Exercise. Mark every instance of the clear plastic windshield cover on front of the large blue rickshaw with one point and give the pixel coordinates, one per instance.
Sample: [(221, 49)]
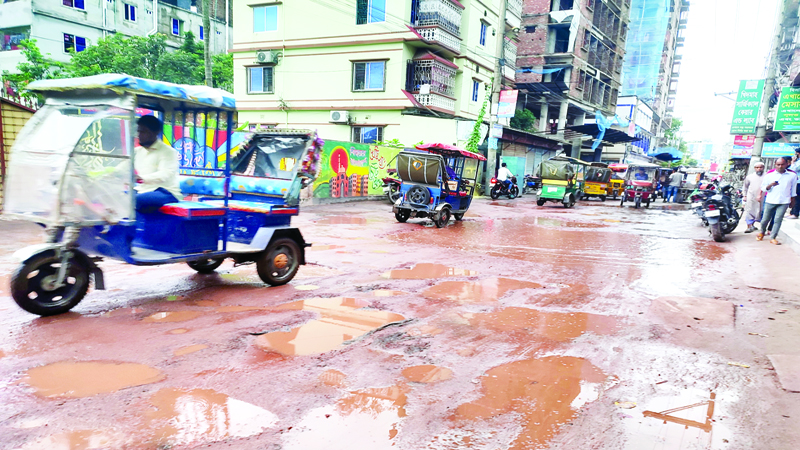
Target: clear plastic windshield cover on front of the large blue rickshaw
[(72, 165)]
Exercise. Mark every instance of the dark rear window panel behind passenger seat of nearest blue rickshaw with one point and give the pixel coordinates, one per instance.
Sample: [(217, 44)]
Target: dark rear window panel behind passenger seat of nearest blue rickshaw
[(271, 156)]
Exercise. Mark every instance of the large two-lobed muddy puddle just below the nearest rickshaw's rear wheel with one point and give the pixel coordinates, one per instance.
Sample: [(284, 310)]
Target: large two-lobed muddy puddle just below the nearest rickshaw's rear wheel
[(340, 320)]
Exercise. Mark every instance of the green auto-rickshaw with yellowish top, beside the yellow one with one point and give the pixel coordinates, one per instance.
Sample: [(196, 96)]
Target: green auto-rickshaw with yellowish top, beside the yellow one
[(562, 180)]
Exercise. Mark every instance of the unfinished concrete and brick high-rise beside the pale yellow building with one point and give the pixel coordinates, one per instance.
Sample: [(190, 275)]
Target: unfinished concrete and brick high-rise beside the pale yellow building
[(570, 61)]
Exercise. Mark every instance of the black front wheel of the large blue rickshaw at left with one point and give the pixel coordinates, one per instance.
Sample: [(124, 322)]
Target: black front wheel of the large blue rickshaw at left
[(32, 290)]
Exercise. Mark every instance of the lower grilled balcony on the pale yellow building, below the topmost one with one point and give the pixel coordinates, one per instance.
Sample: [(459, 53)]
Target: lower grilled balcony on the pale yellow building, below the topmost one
[(431, 80)]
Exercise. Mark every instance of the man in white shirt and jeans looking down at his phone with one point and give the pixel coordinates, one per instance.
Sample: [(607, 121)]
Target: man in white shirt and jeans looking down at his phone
[(781, 187)]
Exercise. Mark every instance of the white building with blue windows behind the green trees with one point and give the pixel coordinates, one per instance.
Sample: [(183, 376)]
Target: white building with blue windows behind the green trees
[(61, 26)]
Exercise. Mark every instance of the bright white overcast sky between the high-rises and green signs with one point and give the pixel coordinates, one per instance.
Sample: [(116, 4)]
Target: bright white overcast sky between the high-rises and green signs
[(726, 41)]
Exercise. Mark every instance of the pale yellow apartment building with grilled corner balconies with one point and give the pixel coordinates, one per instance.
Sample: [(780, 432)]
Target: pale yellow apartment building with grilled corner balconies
[(370, 70)]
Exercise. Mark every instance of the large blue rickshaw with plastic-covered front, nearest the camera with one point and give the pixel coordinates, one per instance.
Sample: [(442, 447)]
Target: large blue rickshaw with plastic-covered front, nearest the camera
[(71, 170)]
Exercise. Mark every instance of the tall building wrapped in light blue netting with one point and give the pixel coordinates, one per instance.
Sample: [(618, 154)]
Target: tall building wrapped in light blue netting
[(653, 59)]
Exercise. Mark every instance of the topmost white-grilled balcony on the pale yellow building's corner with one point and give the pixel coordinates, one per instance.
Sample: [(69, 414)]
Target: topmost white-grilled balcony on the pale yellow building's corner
[(438, 22)]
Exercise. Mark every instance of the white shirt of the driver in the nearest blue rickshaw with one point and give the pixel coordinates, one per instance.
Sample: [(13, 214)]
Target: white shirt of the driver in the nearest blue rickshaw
[(157, 166)]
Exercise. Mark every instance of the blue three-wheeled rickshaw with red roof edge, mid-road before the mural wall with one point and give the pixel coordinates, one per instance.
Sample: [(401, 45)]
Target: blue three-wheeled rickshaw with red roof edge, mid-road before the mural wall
[(438, 181)]
